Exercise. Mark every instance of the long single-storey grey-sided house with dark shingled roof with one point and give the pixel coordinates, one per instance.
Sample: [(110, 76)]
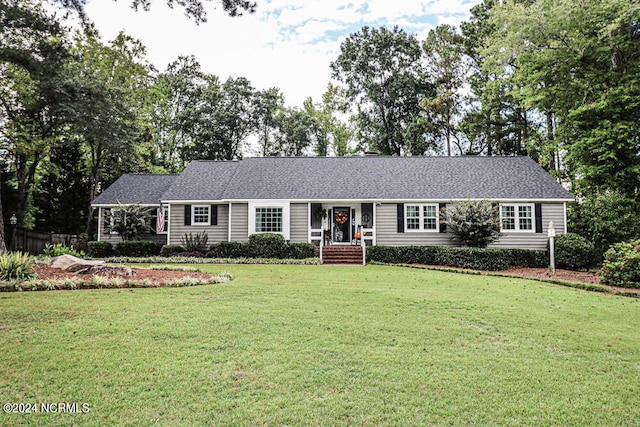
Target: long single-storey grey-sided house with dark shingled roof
[(391, 201)]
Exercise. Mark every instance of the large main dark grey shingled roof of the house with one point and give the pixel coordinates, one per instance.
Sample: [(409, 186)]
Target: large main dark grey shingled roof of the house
[(368, 177)]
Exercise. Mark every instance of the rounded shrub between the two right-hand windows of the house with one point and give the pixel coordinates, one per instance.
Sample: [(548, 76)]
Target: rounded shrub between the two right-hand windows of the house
[(475, 223)]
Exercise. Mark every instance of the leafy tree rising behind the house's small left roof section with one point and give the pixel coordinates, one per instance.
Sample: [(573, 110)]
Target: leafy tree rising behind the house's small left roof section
[(110, 83)]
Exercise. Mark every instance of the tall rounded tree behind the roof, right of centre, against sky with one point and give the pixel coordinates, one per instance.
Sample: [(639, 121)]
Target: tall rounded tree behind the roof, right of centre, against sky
[(384, 76)]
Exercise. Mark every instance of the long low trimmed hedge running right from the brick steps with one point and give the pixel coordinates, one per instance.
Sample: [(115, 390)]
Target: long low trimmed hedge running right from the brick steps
[(472, 258)]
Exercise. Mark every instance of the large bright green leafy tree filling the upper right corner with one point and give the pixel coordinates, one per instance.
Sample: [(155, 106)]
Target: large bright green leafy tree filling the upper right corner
[(578, 65)]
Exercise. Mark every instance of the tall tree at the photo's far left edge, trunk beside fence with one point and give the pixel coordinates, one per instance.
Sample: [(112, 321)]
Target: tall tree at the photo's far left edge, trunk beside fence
[(33, 51)]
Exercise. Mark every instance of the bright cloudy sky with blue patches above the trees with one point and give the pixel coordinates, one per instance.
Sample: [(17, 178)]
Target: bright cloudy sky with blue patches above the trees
[(286, 43)]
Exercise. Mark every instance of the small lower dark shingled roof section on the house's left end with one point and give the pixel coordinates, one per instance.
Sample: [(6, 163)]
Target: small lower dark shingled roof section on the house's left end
[(137, 189)]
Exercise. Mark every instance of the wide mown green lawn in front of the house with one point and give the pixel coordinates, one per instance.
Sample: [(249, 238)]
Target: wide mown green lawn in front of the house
[(321, 345)]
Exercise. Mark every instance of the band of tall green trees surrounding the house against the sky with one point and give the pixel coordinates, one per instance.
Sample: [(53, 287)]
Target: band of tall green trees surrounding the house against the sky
[(557, 80)]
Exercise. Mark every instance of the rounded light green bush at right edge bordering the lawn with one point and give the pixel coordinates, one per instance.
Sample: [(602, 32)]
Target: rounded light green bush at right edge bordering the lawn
[(621, 265)]
